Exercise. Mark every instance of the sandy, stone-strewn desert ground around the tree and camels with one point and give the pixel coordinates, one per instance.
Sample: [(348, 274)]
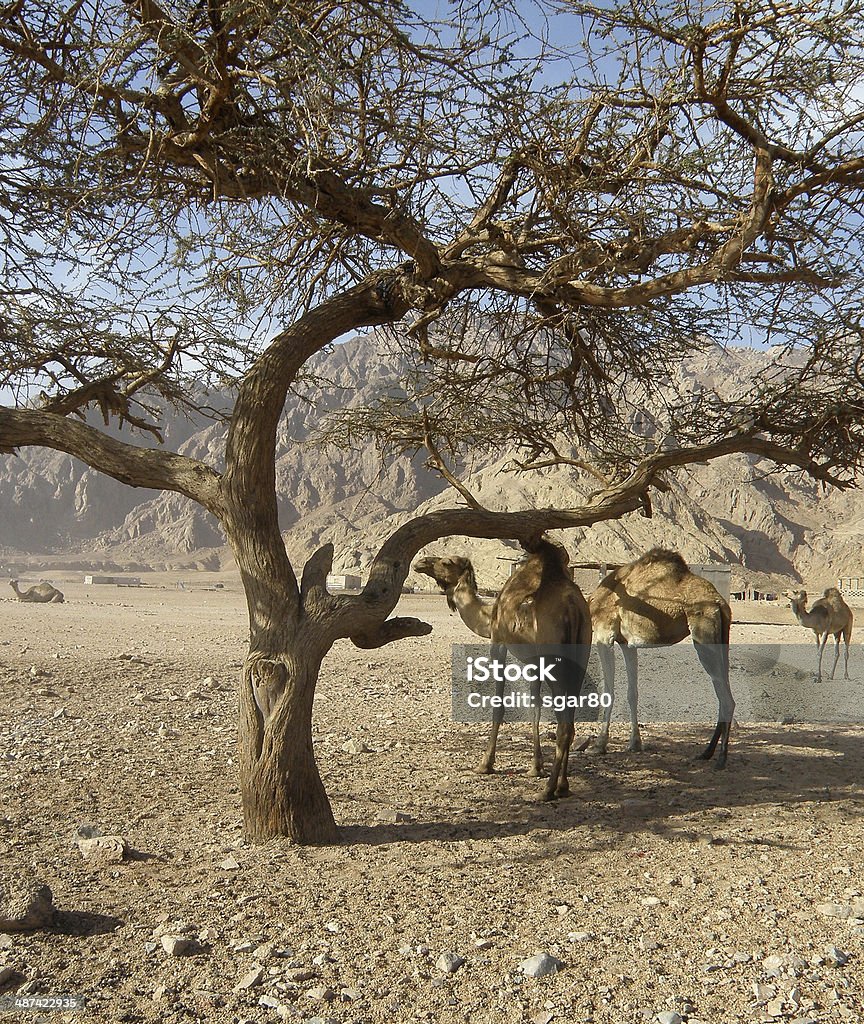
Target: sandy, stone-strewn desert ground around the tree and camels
[(666, 889)]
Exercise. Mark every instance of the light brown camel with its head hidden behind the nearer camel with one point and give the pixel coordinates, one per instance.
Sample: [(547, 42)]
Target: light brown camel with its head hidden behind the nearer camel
[(658, 602)]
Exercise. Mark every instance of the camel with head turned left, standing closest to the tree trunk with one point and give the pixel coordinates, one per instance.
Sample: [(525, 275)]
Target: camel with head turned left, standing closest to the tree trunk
[(540, 605)]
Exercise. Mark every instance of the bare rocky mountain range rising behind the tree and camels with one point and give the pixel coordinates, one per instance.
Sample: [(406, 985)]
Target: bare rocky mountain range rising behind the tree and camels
[(763, 522)]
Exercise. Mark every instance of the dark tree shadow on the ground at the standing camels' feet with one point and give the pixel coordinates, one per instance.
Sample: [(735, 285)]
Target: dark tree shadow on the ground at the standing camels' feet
[(663, 792)]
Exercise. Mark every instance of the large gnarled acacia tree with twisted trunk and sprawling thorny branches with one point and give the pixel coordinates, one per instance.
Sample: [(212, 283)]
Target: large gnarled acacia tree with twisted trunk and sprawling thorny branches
[(553, 203)]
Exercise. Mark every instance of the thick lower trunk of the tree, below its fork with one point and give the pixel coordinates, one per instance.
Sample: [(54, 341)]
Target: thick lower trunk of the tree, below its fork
[(283, 793)]
